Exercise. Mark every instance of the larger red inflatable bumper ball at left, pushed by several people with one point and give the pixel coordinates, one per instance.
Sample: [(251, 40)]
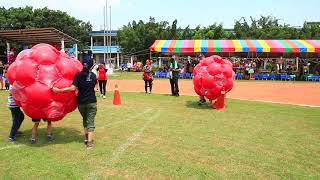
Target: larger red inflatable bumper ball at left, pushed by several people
[(32, 76)]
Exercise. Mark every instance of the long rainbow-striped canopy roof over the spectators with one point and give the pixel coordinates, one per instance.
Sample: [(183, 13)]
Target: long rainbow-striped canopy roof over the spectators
[(223, 46)]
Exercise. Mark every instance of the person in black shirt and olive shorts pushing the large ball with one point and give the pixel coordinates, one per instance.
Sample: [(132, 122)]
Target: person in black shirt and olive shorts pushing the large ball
[(85, 81)]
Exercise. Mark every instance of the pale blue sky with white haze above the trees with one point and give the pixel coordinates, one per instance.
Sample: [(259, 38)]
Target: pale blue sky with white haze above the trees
[(187, 12)]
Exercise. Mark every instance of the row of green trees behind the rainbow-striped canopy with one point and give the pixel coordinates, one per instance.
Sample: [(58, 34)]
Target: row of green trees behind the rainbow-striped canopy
[(139, 36)]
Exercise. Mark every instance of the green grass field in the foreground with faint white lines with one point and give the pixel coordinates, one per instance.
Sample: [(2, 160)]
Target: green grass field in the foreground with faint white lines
[(164, 137)]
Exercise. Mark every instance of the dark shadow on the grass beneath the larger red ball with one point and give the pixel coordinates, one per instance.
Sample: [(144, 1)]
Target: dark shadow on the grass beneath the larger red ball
[(62, 135)]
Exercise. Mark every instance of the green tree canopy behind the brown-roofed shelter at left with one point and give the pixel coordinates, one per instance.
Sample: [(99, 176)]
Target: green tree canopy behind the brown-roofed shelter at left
[(27, 17)]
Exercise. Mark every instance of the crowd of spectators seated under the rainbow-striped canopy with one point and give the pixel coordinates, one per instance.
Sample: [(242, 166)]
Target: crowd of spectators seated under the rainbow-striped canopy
[(299, 67)]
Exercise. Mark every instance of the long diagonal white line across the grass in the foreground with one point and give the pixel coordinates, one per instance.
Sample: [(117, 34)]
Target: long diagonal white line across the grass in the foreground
[(123, 147)]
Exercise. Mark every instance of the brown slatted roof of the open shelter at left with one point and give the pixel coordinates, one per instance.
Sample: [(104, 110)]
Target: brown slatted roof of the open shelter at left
[(34, 36)]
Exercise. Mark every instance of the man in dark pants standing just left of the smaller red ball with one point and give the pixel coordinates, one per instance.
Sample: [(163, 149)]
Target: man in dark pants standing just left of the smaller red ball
[(174, 72)]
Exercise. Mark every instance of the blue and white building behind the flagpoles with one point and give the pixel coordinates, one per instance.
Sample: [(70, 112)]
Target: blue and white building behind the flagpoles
[(112, 52)]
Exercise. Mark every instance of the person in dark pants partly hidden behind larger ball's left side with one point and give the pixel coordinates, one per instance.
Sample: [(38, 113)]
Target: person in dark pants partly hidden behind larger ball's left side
[(17, 117)]
